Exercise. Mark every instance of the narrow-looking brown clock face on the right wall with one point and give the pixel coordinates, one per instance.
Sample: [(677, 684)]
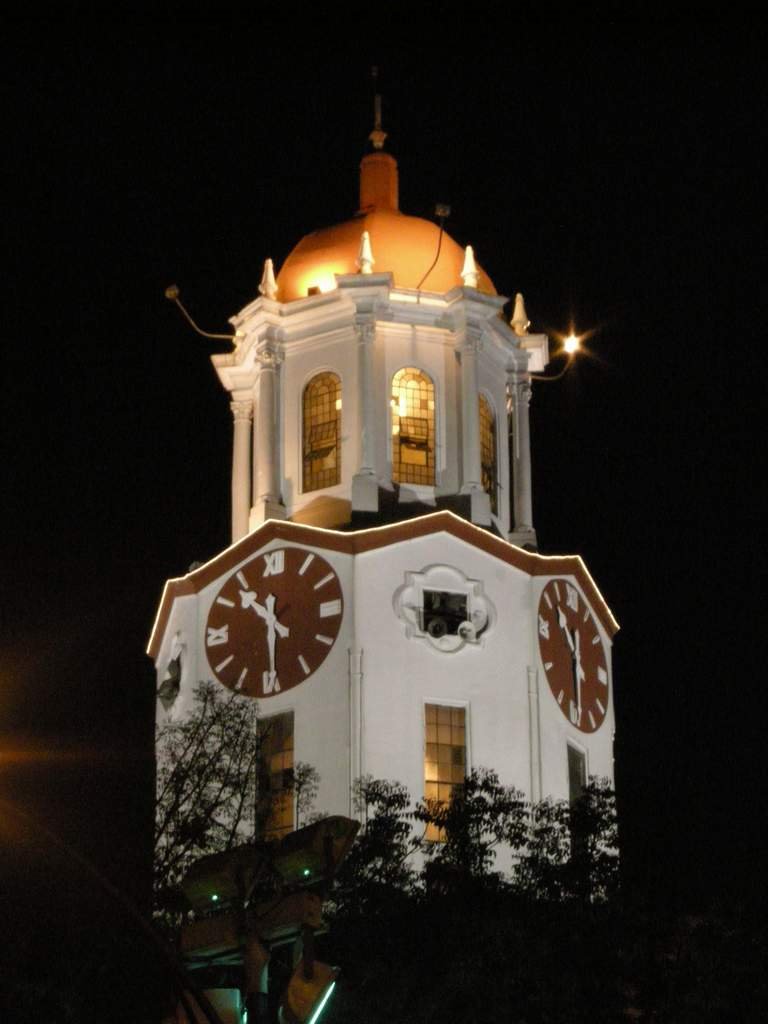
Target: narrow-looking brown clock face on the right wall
[(573, 655)]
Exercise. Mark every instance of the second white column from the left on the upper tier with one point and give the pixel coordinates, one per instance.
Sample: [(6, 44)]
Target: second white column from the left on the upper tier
[(267, 504)]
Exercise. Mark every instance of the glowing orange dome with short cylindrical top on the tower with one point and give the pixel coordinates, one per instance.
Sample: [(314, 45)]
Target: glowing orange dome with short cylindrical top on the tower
[(403, 246)]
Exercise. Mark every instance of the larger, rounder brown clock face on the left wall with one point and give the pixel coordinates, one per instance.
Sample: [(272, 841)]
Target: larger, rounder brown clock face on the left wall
[(274, 622)]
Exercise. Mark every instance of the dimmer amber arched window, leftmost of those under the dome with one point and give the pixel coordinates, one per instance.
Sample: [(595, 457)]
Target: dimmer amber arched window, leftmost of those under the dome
[(322, 433)]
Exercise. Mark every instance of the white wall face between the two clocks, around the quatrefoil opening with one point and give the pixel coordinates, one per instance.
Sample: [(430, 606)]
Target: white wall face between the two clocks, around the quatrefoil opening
[(402, 674)]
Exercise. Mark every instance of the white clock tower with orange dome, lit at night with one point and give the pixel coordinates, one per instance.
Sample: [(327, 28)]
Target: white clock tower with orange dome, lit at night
[(383, 600)]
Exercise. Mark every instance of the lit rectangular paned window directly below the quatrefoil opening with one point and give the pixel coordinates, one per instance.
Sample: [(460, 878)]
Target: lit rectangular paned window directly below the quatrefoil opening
[(445, 756)]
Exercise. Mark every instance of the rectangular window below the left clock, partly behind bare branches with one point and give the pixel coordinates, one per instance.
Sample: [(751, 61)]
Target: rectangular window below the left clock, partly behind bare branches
[(276, 775)]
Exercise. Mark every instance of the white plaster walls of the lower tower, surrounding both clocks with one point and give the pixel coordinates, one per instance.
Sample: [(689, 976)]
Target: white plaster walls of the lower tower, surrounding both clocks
[(401, 674)]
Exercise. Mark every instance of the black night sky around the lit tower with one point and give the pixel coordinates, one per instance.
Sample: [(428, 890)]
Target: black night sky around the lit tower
[(610, 172)]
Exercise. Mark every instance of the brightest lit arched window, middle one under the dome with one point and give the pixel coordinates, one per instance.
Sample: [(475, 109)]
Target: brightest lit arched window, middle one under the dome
[(413, 428)]
